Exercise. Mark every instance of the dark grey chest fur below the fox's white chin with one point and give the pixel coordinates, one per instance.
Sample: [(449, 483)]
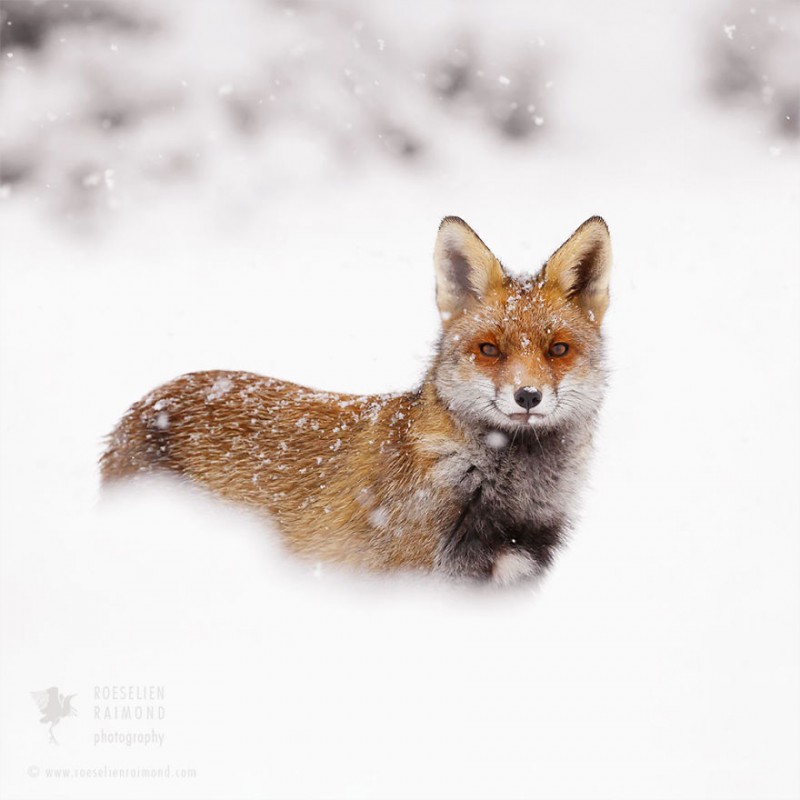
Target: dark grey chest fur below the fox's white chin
[(517, 498)]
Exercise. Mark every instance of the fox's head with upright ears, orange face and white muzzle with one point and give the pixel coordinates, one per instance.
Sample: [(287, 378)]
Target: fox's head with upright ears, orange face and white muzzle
[(521, 351)]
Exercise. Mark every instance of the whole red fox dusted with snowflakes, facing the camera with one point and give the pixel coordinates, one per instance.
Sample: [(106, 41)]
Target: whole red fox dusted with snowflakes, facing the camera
[(473, 475)]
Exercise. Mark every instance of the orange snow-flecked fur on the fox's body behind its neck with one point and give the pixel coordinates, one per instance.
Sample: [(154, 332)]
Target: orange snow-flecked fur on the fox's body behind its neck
[(325, 466)]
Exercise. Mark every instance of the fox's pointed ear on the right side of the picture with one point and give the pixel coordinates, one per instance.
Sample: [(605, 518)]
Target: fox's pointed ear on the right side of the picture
[(580, 268)]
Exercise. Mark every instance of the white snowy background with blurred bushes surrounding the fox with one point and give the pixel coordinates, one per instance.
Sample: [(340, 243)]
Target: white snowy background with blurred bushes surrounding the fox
[(257, 185)]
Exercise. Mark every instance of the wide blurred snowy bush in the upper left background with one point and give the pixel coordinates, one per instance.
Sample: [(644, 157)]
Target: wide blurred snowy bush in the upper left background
[(98, 94)]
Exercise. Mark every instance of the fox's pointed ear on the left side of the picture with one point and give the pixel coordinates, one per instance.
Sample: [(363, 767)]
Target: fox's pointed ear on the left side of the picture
[(466, 269)]
